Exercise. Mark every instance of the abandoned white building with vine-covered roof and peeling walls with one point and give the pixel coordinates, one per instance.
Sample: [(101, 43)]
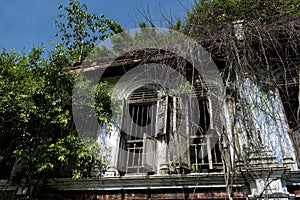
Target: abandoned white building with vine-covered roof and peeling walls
[(178, 136)]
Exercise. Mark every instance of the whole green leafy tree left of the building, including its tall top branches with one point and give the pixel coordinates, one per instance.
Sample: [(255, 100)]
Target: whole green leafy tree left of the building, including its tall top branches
[(36, 122)]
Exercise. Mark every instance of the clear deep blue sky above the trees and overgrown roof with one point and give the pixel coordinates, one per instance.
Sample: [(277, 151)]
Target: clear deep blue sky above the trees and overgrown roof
[(27, 22)]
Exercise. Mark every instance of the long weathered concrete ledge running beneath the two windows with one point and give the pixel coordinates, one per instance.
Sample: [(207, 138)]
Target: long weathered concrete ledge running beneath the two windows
[(141, 182)]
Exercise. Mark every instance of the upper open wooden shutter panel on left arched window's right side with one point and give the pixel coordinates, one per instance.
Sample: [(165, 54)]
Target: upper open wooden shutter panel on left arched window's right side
[(161, 117)]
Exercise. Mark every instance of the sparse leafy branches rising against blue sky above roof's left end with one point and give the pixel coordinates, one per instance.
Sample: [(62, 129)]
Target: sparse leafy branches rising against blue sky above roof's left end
[(79, 30)]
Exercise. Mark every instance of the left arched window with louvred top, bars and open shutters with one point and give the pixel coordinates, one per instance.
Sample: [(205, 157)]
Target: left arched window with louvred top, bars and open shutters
[(138, 130)]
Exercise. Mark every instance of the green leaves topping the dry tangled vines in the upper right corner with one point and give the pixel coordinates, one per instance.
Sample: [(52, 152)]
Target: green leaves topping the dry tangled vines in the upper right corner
[(224, 11)]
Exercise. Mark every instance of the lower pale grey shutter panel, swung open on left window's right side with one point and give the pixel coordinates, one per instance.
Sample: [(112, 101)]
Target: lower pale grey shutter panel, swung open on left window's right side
[(148, 160)]
